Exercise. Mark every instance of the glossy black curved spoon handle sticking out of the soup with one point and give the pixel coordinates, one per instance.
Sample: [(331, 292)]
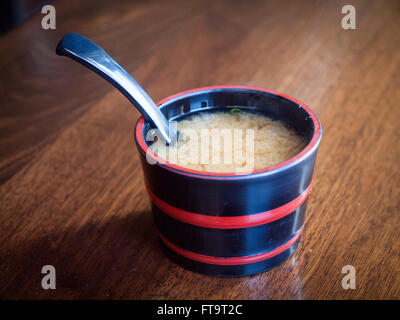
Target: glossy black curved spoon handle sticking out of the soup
[(96, 59)]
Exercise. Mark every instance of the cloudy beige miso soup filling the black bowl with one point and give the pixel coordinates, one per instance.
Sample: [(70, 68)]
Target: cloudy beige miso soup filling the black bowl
[(236, 141)]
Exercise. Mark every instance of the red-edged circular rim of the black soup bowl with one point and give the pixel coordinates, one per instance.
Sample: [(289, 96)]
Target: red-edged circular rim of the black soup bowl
[(308, 149)]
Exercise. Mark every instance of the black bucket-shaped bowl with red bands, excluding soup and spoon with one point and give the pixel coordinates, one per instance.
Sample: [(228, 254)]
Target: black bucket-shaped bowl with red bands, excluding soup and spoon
[(229, 224)]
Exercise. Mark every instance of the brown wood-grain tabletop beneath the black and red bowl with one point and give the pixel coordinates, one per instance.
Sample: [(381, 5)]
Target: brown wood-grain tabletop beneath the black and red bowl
[(72, 192)]
